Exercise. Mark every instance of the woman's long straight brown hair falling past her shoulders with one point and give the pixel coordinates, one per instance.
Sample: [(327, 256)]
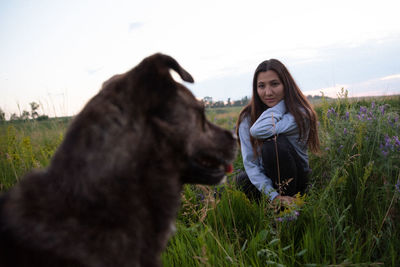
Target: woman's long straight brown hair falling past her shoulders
[(296, 103)]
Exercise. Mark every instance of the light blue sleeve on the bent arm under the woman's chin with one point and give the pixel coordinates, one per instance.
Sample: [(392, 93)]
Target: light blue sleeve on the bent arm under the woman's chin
[(273, 121)]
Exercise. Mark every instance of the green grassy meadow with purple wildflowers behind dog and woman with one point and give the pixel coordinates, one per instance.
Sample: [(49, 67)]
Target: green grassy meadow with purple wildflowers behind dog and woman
[(350, 215)]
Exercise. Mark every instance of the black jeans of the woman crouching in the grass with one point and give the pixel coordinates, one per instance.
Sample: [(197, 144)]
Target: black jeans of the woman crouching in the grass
[(292, 176)]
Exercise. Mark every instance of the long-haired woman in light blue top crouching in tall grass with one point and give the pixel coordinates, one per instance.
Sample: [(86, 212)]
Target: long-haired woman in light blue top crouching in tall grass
[(274, 131)]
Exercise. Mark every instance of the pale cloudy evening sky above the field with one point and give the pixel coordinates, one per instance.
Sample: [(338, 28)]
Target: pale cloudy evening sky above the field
[(58, 53)]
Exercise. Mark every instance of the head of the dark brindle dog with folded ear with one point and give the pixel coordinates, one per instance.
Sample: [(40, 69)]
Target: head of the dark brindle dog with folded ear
[(202, 151)]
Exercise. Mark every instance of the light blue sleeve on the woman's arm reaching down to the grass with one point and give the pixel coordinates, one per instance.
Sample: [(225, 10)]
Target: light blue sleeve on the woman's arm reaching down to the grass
[(252, 165)]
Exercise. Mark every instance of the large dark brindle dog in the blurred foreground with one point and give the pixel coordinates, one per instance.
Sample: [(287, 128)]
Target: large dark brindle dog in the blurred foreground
[(112, 189)]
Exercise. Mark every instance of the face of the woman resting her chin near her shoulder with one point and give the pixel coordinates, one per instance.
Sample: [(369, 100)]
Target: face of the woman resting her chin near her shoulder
[(270, 88)]
